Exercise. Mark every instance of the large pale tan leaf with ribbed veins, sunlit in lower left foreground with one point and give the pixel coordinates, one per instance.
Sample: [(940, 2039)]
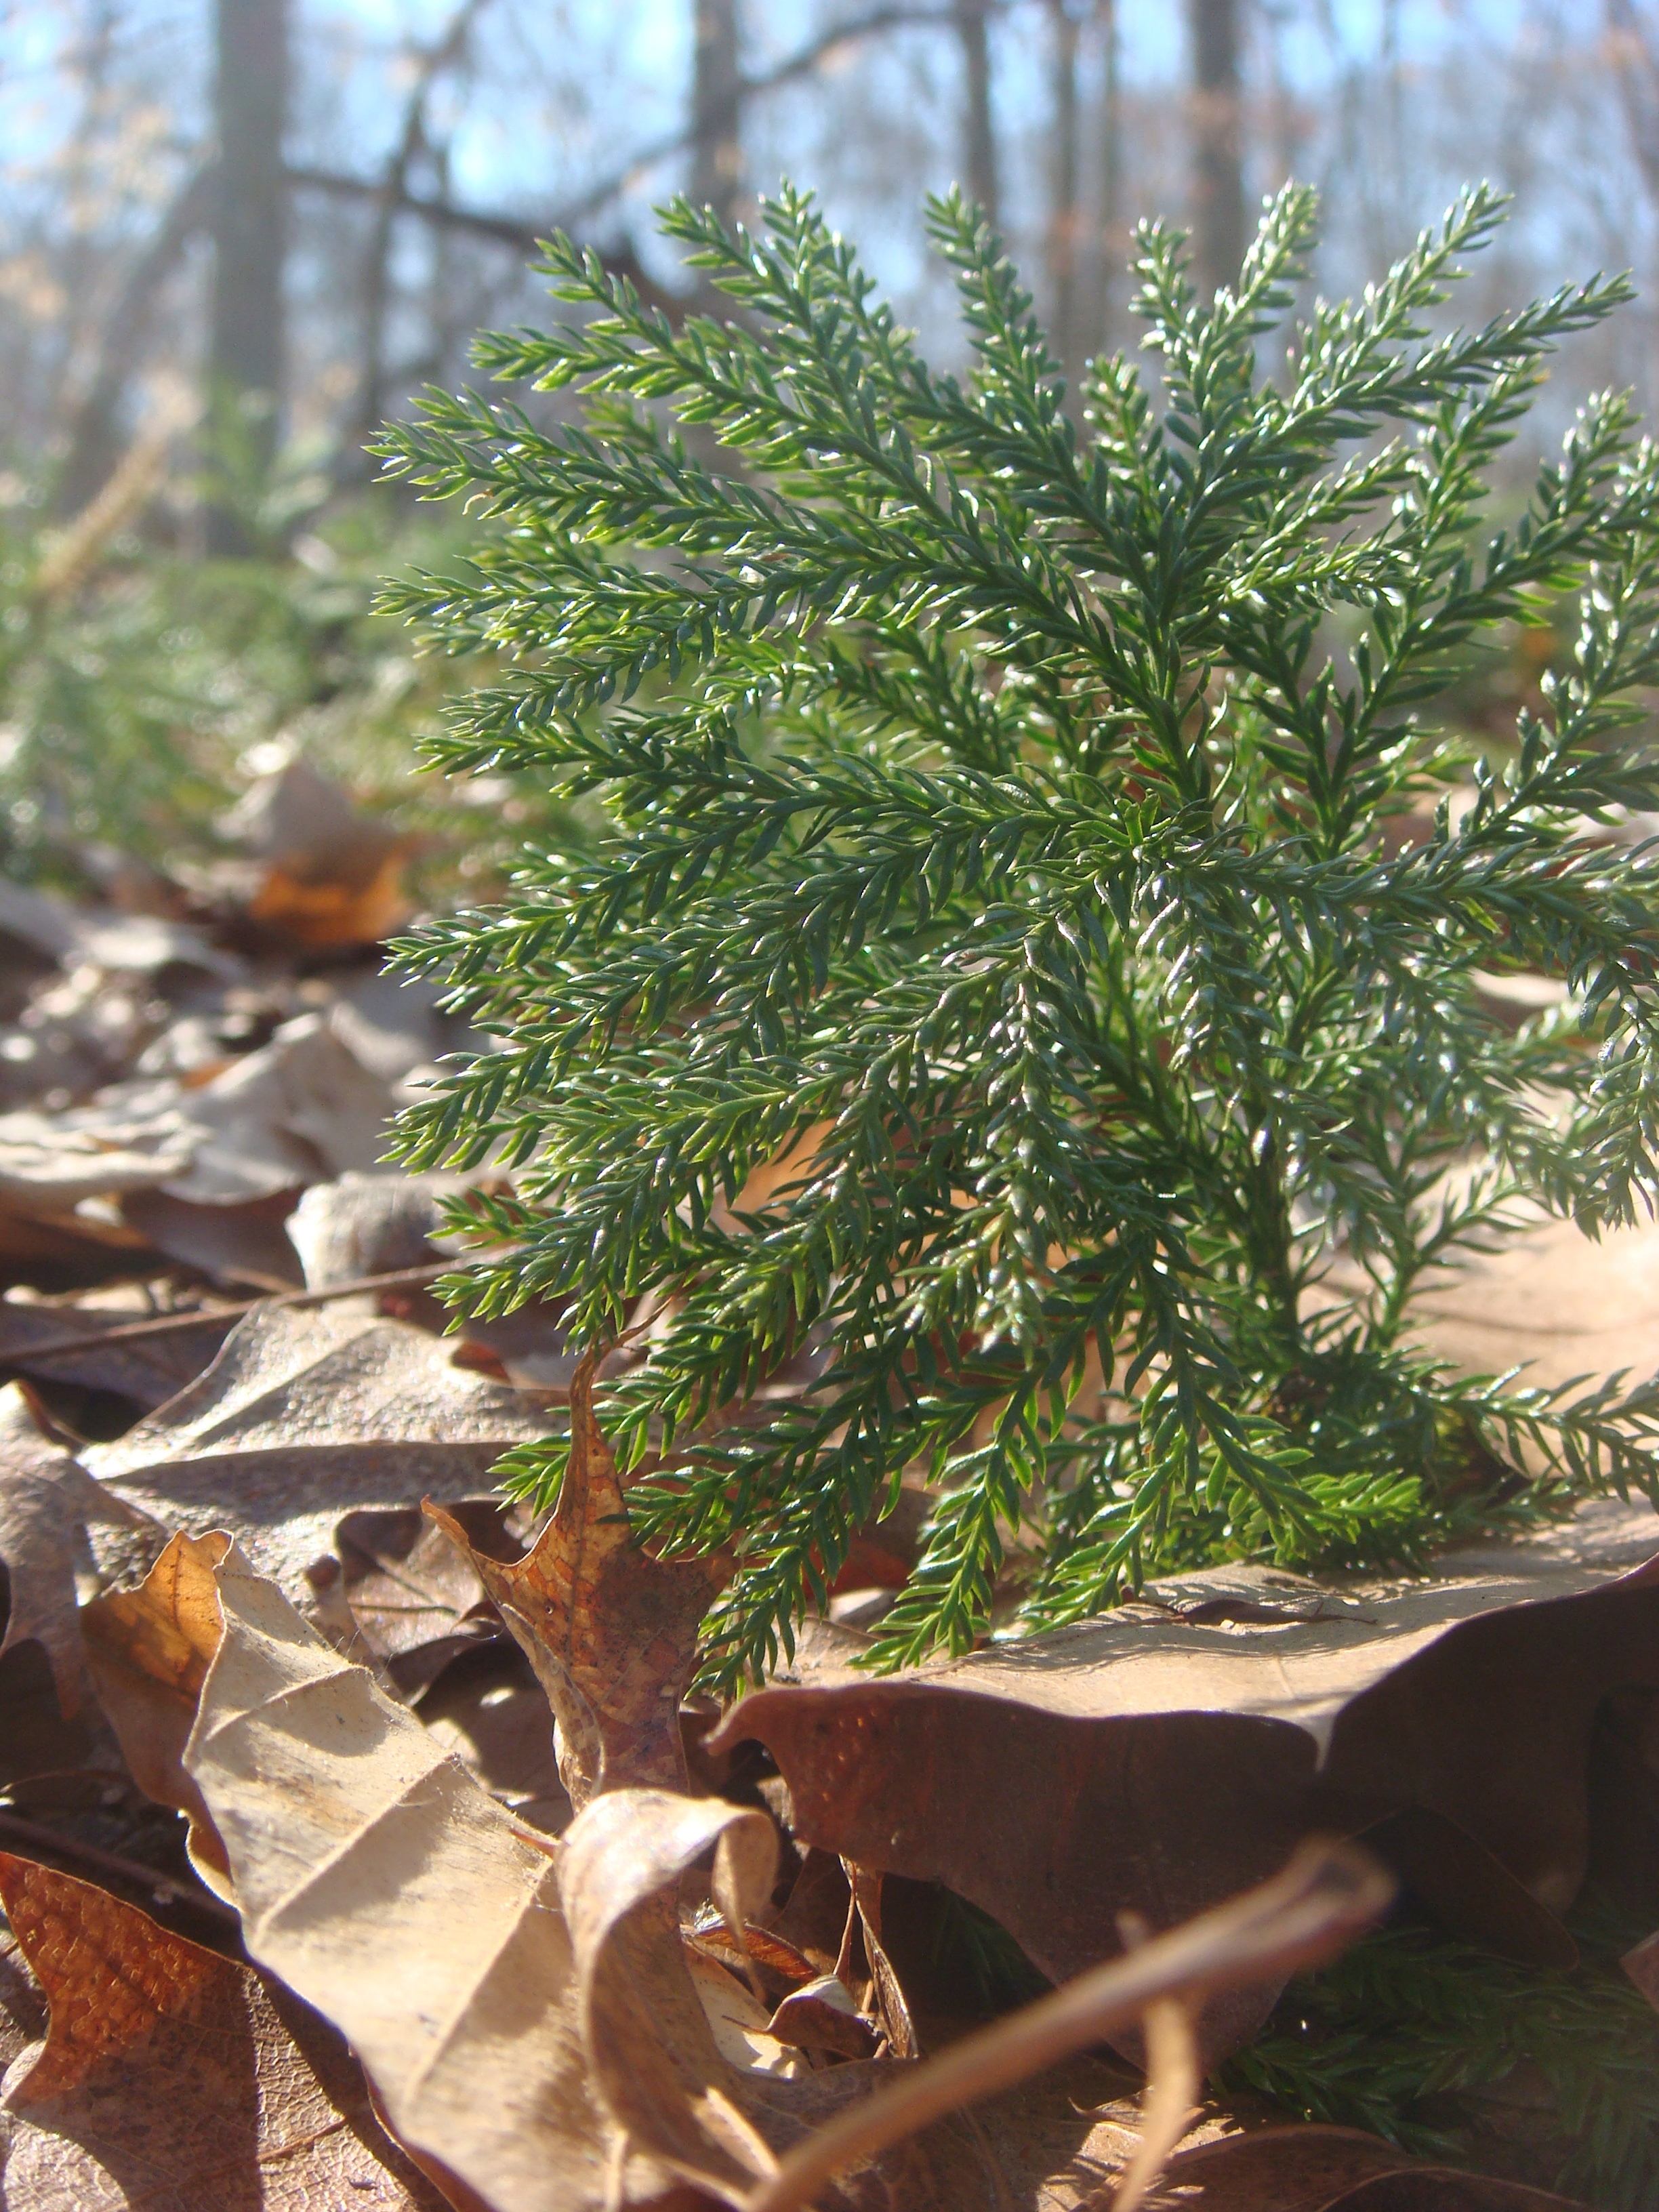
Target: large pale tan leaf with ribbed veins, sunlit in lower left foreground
[(384, 1886)]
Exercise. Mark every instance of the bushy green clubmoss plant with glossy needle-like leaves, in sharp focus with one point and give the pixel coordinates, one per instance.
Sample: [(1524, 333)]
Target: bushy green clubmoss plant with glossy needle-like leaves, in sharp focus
[(994, 820)]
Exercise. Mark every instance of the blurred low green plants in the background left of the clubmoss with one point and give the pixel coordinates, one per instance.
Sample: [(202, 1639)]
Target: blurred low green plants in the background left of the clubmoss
[(136, 682)]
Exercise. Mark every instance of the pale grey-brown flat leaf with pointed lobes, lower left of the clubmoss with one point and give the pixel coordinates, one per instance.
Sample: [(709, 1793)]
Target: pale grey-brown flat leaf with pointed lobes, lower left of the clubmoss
[(306, 1417)]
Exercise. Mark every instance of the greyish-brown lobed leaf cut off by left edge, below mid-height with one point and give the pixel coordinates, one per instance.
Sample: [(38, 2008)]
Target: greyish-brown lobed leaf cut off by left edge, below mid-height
[(48, 1503)]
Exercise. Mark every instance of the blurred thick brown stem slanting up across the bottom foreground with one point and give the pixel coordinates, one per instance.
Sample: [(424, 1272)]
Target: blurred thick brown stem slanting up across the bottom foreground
[(1324, 1899)]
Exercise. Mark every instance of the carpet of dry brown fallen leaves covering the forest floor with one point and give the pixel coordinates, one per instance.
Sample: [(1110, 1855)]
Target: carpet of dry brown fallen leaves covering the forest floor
[(705, 1994)]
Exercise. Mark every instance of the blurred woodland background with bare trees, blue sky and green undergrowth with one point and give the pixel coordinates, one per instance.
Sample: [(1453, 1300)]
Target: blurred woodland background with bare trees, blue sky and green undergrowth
[(240, 233)]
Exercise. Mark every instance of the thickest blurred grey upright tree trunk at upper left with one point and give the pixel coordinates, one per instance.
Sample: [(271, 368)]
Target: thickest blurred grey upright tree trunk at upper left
[(251, 231)]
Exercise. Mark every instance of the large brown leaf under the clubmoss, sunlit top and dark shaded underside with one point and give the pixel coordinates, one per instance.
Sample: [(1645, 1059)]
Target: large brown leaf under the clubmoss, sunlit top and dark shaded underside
[(1165, 1757)]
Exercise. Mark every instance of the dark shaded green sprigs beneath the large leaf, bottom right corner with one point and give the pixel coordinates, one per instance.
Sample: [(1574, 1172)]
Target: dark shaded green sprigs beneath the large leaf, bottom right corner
[(1421, 2038)]
